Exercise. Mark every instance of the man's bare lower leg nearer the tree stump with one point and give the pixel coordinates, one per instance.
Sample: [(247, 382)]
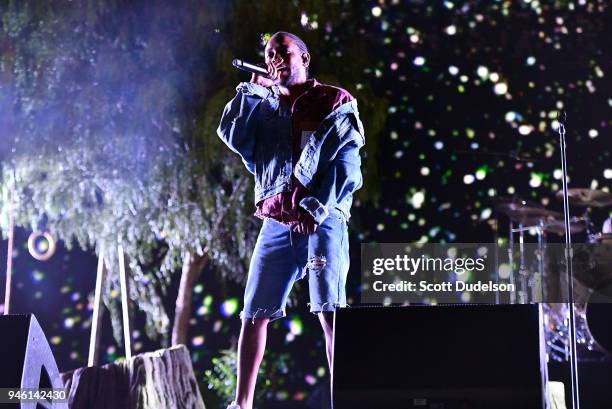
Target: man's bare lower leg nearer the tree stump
[(251, 347)]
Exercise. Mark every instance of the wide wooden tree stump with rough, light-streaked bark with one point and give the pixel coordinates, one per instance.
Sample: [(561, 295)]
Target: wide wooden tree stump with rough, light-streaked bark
[(154, 380)]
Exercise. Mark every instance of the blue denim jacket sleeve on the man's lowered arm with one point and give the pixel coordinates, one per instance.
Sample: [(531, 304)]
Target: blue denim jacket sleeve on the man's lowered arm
[(338, 170)]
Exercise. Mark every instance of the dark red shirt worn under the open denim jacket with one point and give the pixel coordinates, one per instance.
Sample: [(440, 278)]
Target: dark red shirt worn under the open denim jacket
[(307, 112)]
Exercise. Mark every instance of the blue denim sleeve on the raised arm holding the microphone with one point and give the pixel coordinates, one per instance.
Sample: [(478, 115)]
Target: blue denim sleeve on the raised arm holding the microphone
[(239, 121)]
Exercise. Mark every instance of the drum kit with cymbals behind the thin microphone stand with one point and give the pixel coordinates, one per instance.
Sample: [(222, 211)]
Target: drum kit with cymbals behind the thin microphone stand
[(592, 271)]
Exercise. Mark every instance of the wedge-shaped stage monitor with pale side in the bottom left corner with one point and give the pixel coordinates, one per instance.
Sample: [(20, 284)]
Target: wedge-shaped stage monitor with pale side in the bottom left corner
[(27, 360)]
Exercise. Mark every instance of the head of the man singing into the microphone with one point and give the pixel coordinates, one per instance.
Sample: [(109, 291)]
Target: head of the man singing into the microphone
[(292, 67)]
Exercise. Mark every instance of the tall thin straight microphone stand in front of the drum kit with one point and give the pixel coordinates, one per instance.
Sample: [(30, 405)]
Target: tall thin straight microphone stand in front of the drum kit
[(569, 267)]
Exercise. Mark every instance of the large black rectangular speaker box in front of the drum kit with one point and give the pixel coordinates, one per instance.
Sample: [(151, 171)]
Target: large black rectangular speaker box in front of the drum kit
[(443, 357)]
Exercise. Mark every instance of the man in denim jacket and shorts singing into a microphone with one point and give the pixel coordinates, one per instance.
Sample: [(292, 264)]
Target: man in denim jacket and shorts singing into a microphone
[(301, 140)]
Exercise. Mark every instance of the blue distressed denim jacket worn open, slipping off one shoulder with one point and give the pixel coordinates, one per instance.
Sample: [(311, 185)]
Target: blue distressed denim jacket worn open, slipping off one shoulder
[(258, 128)]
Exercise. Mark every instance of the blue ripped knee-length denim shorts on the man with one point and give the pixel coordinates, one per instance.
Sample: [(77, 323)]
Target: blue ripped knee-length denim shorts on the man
[(282, 256)]
